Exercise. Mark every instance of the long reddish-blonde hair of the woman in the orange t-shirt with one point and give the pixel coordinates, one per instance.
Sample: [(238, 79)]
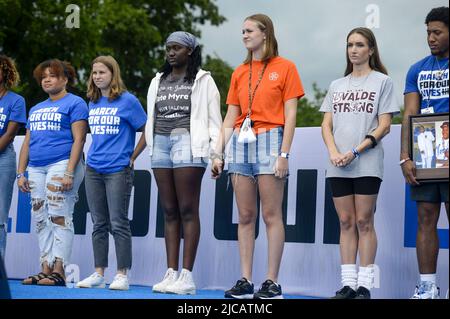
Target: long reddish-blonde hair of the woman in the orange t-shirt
[(265, 24)]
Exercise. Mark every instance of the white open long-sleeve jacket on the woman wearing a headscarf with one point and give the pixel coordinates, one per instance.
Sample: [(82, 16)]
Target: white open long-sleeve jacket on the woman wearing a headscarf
[(206, 119)]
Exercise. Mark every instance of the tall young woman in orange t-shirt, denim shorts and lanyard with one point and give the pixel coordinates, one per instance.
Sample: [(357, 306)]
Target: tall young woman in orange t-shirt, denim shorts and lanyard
[(264, 90)]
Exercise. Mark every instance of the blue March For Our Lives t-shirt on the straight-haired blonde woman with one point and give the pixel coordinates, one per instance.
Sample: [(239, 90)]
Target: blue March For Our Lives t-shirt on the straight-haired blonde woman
[(113, 127)]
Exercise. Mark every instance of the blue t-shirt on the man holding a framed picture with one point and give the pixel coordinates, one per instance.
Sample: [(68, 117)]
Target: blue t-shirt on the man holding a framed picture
[(429, 78)]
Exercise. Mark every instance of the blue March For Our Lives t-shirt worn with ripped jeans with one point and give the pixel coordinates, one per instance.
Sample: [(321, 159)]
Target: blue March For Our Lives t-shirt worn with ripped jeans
[(50, 124)]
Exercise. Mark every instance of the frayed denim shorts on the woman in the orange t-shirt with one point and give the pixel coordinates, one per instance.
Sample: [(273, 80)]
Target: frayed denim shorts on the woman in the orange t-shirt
[(256, 158)]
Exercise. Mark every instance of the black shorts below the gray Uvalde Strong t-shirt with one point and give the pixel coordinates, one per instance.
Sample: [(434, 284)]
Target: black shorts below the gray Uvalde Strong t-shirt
[(342, 186)]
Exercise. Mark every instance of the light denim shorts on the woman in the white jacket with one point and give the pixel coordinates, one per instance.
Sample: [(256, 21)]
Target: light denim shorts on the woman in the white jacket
[(174, 151)]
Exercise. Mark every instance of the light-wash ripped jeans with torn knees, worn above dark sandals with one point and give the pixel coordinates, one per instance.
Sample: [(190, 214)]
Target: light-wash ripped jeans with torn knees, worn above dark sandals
[(47, 203)]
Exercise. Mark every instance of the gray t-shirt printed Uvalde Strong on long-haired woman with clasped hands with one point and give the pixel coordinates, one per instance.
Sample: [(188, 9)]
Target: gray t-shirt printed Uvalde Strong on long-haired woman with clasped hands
[(355, 104)]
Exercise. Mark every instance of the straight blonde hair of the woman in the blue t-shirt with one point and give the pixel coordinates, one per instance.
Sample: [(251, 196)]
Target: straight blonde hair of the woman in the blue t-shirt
[(117, 87)]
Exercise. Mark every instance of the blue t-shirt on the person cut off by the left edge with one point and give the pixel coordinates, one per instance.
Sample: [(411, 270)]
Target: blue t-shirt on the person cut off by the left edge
[(12, 108)]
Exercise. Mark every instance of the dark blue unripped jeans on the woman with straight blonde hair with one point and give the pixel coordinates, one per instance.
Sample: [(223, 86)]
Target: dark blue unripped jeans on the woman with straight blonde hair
[(108, 197)]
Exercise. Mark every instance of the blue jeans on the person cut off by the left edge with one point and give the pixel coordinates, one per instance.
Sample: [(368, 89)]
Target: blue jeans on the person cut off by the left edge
[(8, 174)]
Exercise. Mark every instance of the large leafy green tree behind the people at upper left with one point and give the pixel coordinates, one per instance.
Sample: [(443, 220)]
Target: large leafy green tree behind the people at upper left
[(133, 31)]
